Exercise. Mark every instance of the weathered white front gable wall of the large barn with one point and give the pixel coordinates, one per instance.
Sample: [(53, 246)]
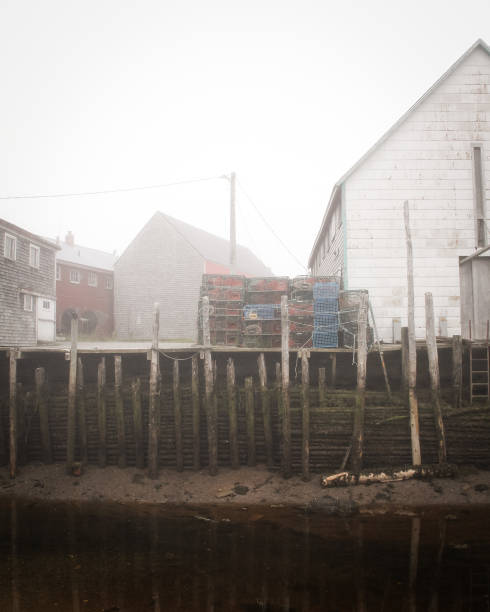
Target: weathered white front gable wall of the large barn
[(427, 161)]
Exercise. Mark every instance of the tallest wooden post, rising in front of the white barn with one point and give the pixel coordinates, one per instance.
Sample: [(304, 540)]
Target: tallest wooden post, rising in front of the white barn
[(412, 347)]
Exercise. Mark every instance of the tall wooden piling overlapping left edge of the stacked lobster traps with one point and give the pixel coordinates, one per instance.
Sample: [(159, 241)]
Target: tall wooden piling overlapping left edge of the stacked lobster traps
[(211, 407)]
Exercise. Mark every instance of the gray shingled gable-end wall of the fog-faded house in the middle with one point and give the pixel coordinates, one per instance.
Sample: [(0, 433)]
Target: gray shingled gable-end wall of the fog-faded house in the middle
[(158, 266)]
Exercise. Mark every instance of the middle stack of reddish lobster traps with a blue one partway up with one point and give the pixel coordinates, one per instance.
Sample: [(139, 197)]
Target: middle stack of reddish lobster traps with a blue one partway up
[(262, 311)]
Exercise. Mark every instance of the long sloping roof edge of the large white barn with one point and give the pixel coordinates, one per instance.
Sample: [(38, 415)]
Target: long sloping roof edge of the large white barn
[(480, 43)]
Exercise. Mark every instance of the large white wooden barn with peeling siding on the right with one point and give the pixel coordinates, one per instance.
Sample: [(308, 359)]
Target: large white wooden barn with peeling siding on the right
[(437, 157)]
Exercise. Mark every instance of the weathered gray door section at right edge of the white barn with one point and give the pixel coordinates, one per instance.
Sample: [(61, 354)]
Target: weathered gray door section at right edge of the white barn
[(474, 276)]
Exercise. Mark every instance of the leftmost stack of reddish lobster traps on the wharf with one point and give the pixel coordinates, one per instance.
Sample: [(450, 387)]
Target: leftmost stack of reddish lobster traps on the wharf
[(226, 299)]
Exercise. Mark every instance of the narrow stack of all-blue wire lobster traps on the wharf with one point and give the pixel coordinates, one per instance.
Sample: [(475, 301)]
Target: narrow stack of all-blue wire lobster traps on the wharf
[(326, 310)]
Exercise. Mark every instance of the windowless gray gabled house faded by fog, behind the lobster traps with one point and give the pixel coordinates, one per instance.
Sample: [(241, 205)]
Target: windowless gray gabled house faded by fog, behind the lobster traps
[(165, 264)]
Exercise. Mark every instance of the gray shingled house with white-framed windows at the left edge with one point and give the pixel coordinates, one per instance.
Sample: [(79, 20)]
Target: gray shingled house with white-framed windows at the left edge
[(27, 287)]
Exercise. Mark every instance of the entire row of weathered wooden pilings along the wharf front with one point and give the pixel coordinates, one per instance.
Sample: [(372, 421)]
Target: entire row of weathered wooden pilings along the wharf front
[(76, 420)]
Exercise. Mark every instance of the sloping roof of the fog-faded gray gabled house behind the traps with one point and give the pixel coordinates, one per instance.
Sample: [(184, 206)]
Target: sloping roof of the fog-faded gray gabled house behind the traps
[(215, 249)]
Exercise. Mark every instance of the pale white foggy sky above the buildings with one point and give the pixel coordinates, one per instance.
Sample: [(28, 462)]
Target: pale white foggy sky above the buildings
[(109, 94)]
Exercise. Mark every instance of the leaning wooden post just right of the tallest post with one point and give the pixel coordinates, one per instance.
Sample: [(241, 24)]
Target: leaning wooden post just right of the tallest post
[(434, 376)]
